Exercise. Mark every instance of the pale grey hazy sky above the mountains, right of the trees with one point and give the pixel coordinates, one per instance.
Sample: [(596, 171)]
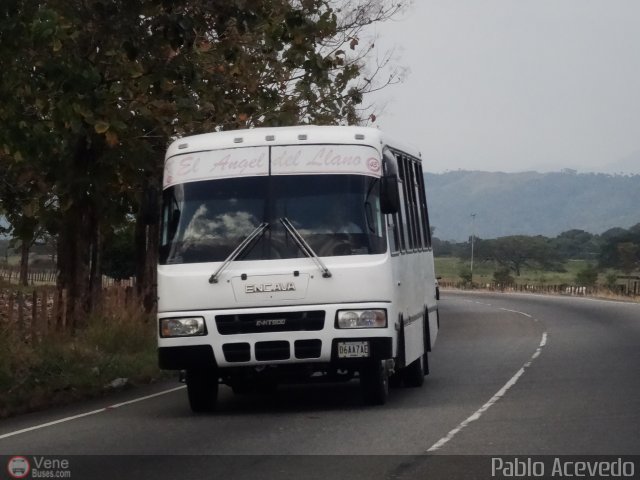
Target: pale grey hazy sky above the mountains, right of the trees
[(513, 85)]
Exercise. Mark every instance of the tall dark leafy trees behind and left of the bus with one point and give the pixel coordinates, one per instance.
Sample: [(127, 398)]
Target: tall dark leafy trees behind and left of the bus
[(94, 90)]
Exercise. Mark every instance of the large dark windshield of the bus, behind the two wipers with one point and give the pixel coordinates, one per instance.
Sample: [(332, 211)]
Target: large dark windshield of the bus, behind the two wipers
[(336, 214)]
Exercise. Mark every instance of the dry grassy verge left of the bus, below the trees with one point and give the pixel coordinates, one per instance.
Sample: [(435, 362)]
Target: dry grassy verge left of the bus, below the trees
[(62, 368)]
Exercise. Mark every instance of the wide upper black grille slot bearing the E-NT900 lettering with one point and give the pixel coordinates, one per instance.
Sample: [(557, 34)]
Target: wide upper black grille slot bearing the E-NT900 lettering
[(270, 322)]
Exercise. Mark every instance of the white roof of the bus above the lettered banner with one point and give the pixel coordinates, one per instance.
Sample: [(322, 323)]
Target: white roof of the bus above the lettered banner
[(297, 135)]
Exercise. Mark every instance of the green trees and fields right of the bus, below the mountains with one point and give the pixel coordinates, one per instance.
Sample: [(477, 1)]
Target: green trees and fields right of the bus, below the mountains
[(573, 257)]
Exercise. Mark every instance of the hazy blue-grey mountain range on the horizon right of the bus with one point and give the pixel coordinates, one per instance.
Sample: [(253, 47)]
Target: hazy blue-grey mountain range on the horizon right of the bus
[(530, 203)]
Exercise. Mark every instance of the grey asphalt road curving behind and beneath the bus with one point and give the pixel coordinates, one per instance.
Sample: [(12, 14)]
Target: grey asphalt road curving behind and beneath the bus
[(511, 375)]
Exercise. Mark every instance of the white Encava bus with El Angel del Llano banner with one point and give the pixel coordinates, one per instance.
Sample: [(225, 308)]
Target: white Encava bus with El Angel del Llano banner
[(295, 254)]
